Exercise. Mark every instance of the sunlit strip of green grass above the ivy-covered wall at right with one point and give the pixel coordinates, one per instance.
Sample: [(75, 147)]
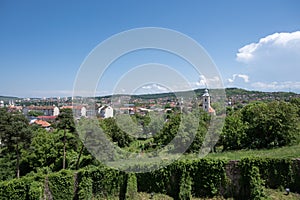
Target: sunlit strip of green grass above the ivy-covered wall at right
[(283, 152)]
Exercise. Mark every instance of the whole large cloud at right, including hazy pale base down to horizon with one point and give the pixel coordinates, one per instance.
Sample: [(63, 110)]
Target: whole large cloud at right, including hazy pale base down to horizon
[(273, 63)]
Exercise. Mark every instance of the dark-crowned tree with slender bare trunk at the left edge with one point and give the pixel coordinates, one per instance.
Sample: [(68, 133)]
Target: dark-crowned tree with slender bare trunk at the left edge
[(15, 133)]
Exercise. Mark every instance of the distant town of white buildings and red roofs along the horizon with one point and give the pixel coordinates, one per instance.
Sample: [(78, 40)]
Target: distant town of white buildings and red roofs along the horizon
[(43, 111)]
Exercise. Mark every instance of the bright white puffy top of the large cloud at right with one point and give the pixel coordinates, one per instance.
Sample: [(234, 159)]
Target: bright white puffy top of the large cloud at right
[(284, 42)]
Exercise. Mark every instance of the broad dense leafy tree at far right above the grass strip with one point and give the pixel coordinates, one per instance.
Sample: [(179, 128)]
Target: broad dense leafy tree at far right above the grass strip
[(272, 124)]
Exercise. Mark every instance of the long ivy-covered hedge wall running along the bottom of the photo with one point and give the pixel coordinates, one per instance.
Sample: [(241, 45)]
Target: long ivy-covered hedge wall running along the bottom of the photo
[(180, 180)]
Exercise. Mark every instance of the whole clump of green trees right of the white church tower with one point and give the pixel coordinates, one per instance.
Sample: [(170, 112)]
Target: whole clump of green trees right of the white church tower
[(261, 125)]
